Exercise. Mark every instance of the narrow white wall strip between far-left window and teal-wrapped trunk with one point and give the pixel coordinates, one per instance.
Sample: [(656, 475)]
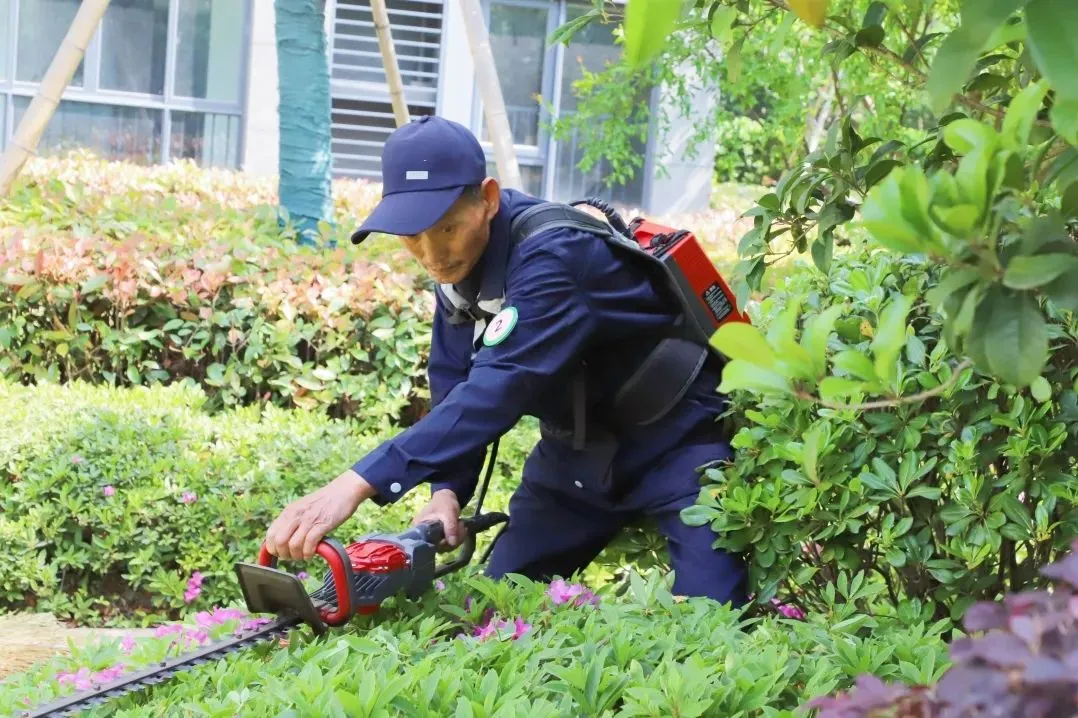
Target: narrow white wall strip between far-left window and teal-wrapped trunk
[(261, 132)]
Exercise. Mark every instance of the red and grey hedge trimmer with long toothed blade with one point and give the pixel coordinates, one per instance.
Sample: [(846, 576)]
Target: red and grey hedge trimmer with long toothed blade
[(362, 576)]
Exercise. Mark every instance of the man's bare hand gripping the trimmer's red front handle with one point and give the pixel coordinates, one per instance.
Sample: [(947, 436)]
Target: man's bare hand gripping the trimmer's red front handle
[(306, 522)]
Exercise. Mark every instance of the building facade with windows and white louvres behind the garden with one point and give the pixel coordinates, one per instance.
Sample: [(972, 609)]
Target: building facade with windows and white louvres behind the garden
[(198, 79)]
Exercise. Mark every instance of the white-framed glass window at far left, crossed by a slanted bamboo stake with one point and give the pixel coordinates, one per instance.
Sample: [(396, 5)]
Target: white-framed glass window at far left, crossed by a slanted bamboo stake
[(160, 80)]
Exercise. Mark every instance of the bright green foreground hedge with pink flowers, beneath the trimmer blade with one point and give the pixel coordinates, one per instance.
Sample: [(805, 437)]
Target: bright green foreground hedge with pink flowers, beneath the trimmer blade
[(643, 654)]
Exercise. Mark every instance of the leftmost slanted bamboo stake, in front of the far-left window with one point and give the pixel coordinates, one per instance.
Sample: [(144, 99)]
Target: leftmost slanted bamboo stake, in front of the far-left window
[(24, 143)]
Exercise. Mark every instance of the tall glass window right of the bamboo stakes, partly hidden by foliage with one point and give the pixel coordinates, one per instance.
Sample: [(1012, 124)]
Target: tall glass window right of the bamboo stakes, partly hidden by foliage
[(534, 73)]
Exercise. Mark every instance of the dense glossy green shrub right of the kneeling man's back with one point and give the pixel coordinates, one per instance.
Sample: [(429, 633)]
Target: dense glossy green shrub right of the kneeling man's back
[(925, 506)]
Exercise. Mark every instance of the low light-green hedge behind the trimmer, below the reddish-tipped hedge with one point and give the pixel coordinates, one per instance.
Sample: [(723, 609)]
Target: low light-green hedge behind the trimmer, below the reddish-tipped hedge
[(113, 499)]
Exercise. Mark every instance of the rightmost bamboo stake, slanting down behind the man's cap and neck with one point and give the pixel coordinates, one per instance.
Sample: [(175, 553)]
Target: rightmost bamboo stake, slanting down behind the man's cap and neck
[(494, 104)]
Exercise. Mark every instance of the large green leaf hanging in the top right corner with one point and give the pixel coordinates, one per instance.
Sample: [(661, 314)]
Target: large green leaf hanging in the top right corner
[(1053, 27)]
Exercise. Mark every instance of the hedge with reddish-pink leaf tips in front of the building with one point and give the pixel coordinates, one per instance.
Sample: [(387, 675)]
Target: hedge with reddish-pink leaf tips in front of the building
[(175, 275)]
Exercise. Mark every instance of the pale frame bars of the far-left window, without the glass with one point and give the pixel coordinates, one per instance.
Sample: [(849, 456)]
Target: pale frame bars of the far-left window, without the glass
[(167, 103)]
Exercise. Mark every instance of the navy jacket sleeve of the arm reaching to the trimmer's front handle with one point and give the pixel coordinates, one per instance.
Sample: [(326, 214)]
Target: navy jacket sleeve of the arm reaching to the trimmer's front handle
[(554, 325)]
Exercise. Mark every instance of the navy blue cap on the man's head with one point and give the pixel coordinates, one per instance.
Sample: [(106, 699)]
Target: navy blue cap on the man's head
[(426, 164)]
